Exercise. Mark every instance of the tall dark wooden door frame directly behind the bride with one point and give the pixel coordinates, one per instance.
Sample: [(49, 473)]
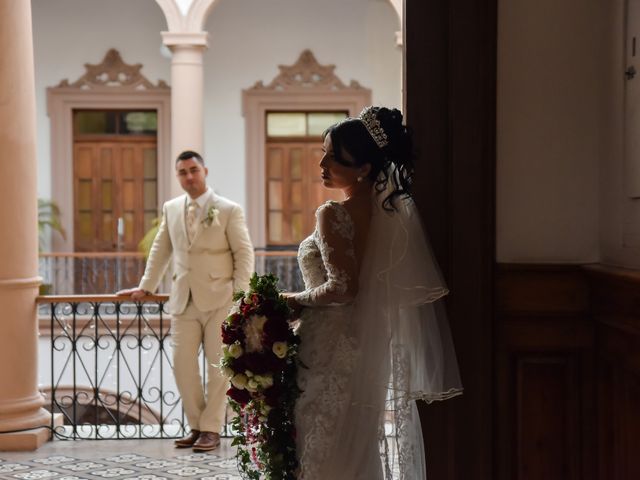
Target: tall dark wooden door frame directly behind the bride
[(450, 94)]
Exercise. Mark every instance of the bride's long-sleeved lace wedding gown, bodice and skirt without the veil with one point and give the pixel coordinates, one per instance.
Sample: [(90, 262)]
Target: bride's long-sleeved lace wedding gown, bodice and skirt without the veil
[(327, 351)]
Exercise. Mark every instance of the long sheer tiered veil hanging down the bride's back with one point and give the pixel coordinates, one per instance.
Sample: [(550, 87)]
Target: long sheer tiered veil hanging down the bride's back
[(405, 350)]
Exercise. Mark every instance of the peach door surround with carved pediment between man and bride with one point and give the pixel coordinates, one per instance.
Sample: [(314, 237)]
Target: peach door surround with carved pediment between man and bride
[(304, 86)]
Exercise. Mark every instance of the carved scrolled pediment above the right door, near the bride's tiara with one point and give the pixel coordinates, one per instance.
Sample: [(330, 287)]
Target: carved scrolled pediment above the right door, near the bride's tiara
[(307, 74)]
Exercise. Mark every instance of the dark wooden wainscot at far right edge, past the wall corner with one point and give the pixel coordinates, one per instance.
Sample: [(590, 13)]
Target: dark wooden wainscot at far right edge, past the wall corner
[(615, 298)]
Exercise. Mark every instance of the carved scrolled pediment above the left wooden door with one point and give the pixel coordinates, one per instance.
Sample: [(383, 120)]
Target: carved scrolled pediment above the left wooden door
[(113, 72)]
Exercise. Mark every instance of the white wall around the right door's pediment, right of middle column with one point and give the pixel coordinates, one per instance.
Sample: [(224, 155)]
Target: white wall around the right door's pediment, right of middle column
[(248, 39)]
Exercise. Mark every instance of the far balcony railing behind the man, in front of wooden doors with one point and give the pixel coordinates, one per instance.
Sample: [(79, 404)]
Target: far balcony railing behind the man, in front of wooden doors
[(91, 273)]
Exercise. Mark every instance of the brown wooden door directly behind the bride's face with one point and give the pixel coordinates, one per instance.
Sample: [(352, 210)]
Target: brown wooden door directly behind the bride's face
[(294, 191)]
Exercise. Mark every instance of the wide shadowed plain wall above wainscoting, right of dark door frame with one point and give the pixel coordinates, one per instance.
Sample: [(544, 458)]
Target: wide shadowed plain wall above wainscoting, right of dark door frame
[(551, 91)]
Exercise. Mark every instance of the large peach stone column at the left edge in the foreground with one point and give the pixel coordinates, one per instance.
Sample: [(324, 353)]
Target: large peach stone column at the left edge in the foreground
[(20, 401)]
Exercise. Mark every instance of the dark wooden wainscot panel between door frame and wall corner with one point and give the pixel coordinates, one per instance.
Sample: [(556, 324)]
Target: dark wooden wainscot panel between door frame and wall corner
[(545, 386)]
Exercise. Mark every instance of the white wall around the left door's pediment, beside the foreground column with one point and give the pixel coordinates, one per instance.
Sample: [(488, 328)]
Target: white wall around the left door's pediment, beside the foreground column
[(69, 33)]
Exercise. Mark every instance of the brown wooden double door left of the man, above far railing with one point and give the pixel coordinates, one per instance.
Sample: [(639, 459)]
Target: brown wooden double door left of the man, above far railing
[(115, 194)]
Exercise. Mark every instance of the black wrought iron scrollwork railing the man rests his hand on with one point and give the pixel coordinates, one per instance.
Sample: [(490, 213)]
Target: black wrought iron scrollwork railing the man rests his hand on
[(109, 367)]
